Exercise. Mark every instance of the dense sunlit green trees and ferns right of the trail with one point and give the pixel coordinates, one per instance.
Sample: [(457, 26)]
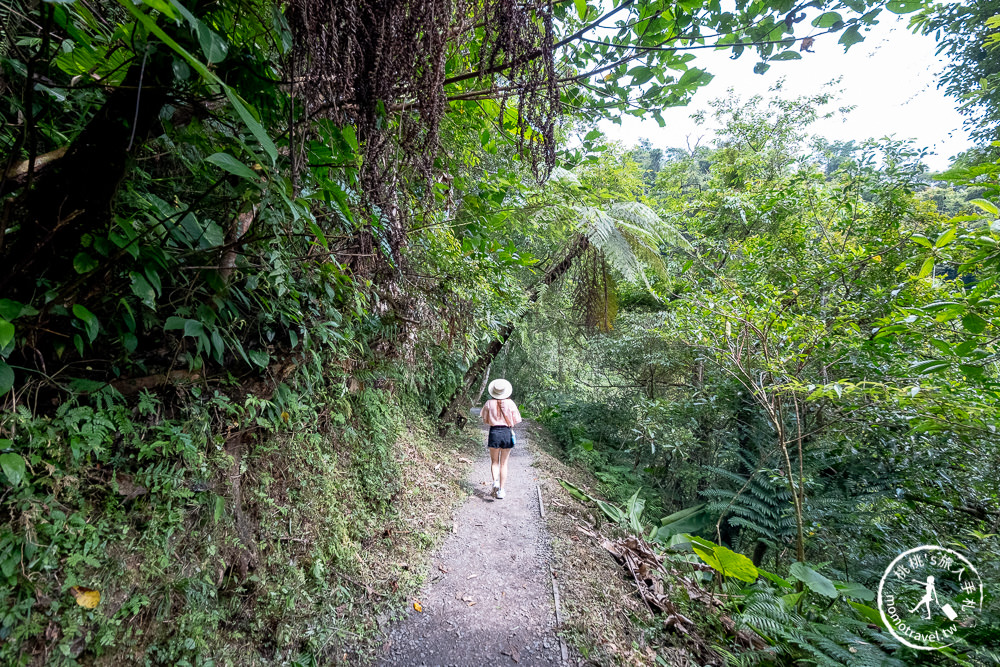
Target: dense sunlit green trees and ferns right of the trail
[(816, 380)]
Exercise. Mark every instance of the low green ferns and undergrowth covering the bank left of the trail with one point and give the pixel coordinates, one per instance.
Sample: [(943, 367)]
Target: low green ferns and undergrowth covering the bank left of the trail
[(213, 525)]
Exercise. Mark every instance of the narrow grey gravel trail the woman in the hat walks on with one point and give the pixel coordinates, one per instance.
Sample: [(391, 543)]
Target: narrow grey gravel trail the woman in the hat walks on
[(489, 598)]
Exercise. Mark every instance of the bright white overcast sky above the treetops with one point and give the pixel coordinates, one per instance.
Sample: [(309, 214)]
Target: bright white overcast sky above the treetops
[(891, 79)]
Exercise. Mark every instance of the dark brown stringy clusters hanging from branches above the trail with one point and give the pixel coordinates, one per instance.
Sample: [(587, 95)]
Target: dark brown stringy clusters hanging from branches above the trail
[(365, 62)]
